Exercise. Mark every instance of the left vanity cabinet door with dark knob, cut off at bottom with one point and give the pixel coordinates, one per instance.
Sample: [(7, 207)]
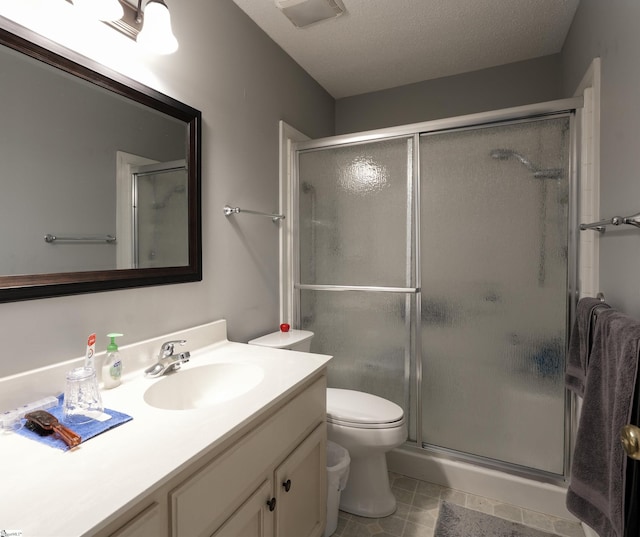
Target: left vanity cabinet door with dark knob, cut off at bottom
[(253, 518)]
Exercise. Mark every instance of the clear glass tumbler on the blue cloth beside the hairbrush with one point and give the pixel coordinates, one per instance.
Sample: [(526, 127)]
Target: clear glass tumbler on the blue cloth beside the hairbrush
[(82, 401)]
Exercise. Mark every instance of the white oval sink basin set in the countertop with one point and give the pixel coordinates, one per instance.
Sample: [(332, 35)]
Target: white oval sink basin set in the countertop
[(203, 386)]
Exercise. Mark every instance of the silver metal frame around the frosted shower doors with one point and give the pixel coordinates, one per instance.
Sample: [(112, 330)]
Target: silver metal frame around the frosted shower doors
[(413, 358)]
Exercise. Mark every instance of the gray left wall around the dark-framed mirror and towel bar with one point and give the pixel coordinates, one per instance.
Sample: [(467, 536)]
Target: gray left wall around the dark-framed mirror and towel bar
[(243, 84)]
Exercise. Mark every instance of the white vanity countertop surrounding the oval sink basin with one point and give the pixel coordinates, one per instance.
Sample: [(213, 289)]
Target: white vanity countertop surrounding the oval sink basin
[(50, 493)]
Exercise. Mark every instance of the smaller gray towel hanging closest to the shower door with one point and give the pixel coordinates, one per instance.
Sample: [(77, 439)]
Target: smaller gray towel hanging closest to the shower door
[(580, 345)]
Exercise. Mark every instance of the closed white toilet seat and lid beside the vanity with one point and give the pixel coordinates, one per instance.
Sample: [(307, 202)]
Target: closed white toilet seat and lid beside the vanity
[(361, 410)]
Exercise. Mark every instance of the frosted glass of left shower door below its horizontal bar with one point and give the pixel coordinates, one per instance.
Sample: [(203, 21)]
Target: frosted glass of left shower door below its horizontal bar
[(367, 335)]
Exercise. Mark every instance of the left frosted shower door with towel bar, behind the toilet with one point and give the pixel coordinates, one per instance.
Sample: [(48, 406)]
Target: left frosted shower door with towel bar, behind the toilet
[(356, 272)]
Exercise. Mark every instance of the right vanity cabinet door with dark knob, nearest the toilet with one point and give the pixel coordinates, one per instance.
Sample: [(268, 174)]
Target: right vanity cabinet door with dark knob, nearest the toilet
[(301, 488)]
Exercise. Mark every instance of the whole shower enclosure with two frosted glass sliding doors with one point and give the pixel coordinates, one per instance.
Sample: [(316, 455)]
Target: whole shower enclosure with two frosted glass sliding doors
[(434, 263)]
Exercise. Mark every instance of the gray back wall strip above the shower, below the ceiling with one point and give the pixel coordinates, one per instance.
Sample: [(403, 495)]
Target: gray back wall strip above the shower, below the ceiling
[(515, 84)]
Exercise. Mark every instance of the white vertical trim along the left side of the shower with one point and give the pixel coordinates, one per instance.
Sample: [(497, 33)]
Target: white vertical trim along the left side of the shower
[(288, 136)]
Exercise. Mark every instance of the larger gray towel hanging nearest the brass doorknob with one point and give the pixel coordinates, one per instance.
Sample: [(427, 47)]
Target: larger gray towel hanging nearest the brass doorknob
[(596, 492)]
